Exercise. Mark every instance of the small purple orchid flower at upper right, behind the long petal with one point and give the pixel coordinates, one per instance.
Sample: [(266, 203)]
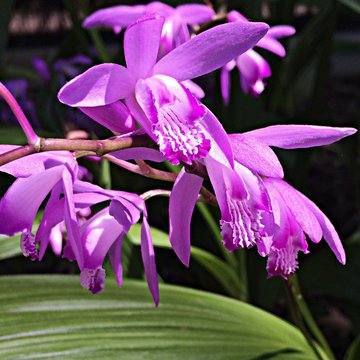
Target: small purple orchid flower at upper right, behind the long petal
[(253, 68)]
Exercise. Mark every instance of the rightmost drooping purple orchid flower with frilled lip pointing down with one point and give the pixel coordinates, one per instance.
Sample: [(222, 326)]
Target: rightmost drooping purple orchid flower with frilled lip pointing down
[(295, 215)]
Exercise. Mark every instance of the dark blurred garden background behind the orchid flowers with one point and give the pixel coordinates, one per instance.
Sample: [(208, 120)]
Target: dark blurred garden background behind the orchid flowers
[(42, 45)]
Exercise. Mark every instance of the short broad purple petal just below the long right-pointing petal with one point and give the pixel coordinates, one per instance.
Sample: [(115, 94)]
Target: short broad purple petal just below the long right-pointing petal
[(255, 155)]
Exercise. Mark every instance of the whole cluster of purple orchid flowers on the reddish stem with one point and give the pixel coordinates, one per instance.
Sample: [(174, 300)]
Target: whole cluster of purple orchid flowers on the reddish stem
[(154, 110)]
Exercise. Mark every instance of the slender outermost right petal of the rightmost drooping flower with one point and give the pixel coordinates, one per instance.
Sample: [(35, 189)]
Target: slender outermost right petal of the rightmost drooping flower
[(329, 233)]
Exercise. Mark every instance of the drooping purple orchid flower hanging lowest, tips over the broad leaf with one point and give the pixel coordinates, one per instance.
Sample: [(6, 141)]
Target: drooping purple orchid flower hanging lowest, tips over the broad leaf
[(101, 234)]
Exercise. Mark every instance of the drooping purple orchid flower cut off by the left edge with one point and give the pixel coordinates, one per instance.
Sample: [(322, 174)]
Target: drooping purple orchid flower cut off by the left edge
[(37, 176)]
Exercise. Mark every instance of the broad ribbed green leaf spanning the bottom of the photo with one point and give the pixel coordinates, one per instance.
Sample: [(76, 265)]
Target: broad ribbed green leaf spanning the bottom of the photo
[(52, 316)]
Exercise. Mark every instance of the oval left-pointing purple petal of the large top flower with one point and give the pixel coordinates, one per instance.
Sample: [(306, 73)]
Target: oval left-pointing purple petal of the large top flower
[(100, 85)]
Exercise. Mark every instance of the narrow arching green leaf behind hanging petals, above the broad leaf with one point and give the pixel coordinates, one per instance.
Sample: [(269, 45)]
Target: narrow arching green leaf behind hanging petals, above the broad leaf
[(221, 271)]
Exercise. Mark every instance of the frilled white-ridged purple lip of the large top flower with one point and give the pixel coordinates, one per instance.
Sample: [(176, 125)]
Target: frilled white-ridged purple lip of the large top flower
[(174, 114)]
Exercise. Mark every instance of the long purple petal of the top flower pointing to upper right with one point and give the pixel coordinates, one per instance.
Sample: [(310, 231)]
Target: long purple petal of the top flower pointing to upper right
[(210, 50)]
